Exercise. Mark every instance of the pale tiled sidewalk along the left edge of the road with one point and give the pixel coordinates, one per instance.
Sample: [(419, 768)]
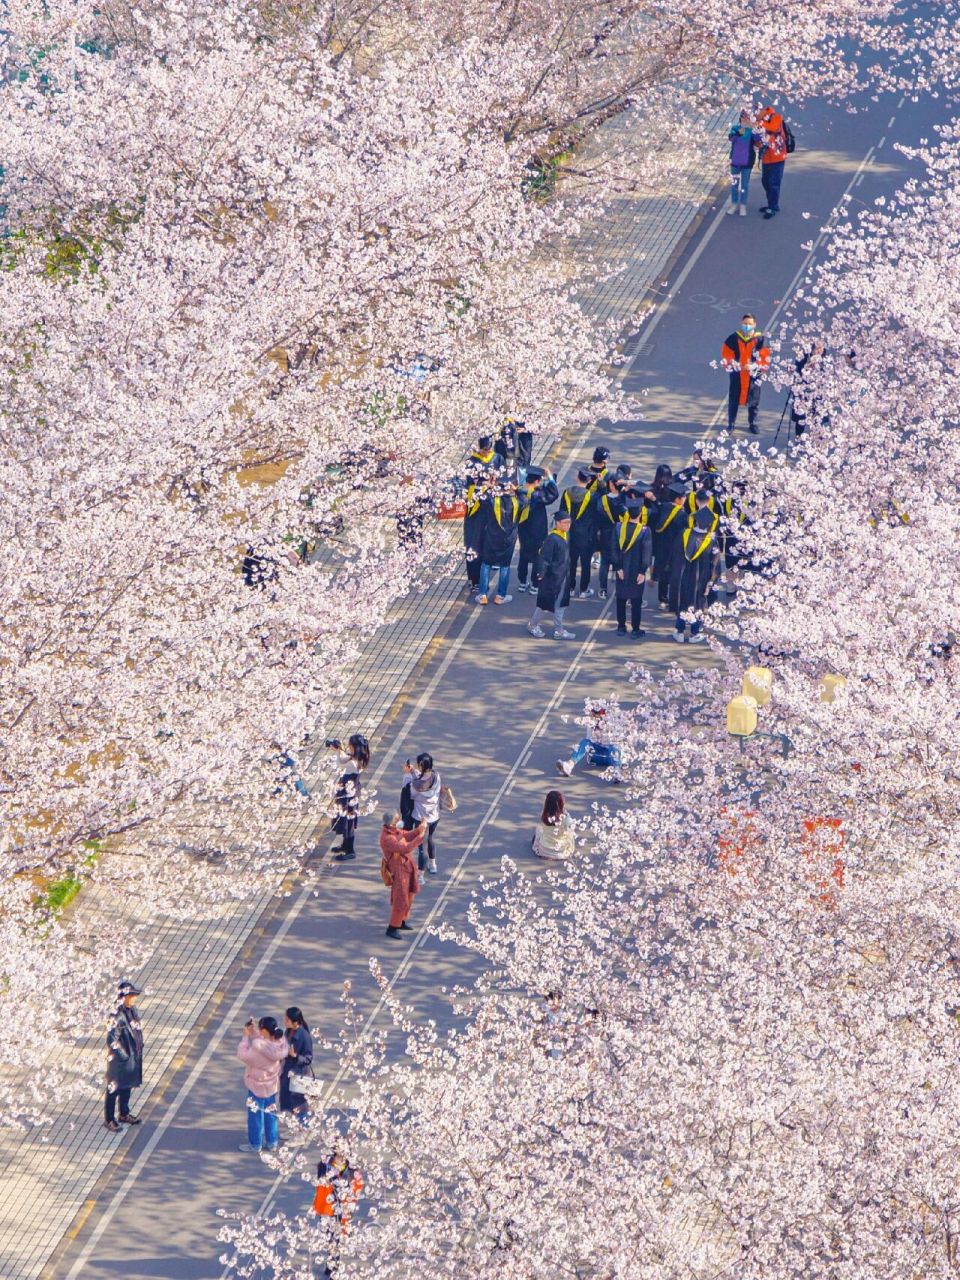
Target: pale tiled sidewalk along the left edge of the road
[(51, 1174)]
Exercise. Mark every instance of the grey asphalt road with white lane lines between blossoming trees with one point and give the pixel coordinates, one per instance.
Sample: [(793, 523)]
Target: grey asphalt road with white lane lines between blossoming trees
[(491, 710)]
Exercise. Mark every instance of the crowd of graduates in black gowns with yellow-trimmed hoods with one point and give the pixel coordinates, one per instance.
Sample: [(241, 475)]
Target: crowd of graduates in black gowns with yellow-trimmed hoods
[(682, 527)]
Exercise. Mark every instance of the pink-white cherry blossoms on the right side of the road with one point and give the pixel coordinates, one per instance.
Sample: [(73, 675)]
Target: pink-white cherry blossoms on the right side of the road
[(724, 1043)]
